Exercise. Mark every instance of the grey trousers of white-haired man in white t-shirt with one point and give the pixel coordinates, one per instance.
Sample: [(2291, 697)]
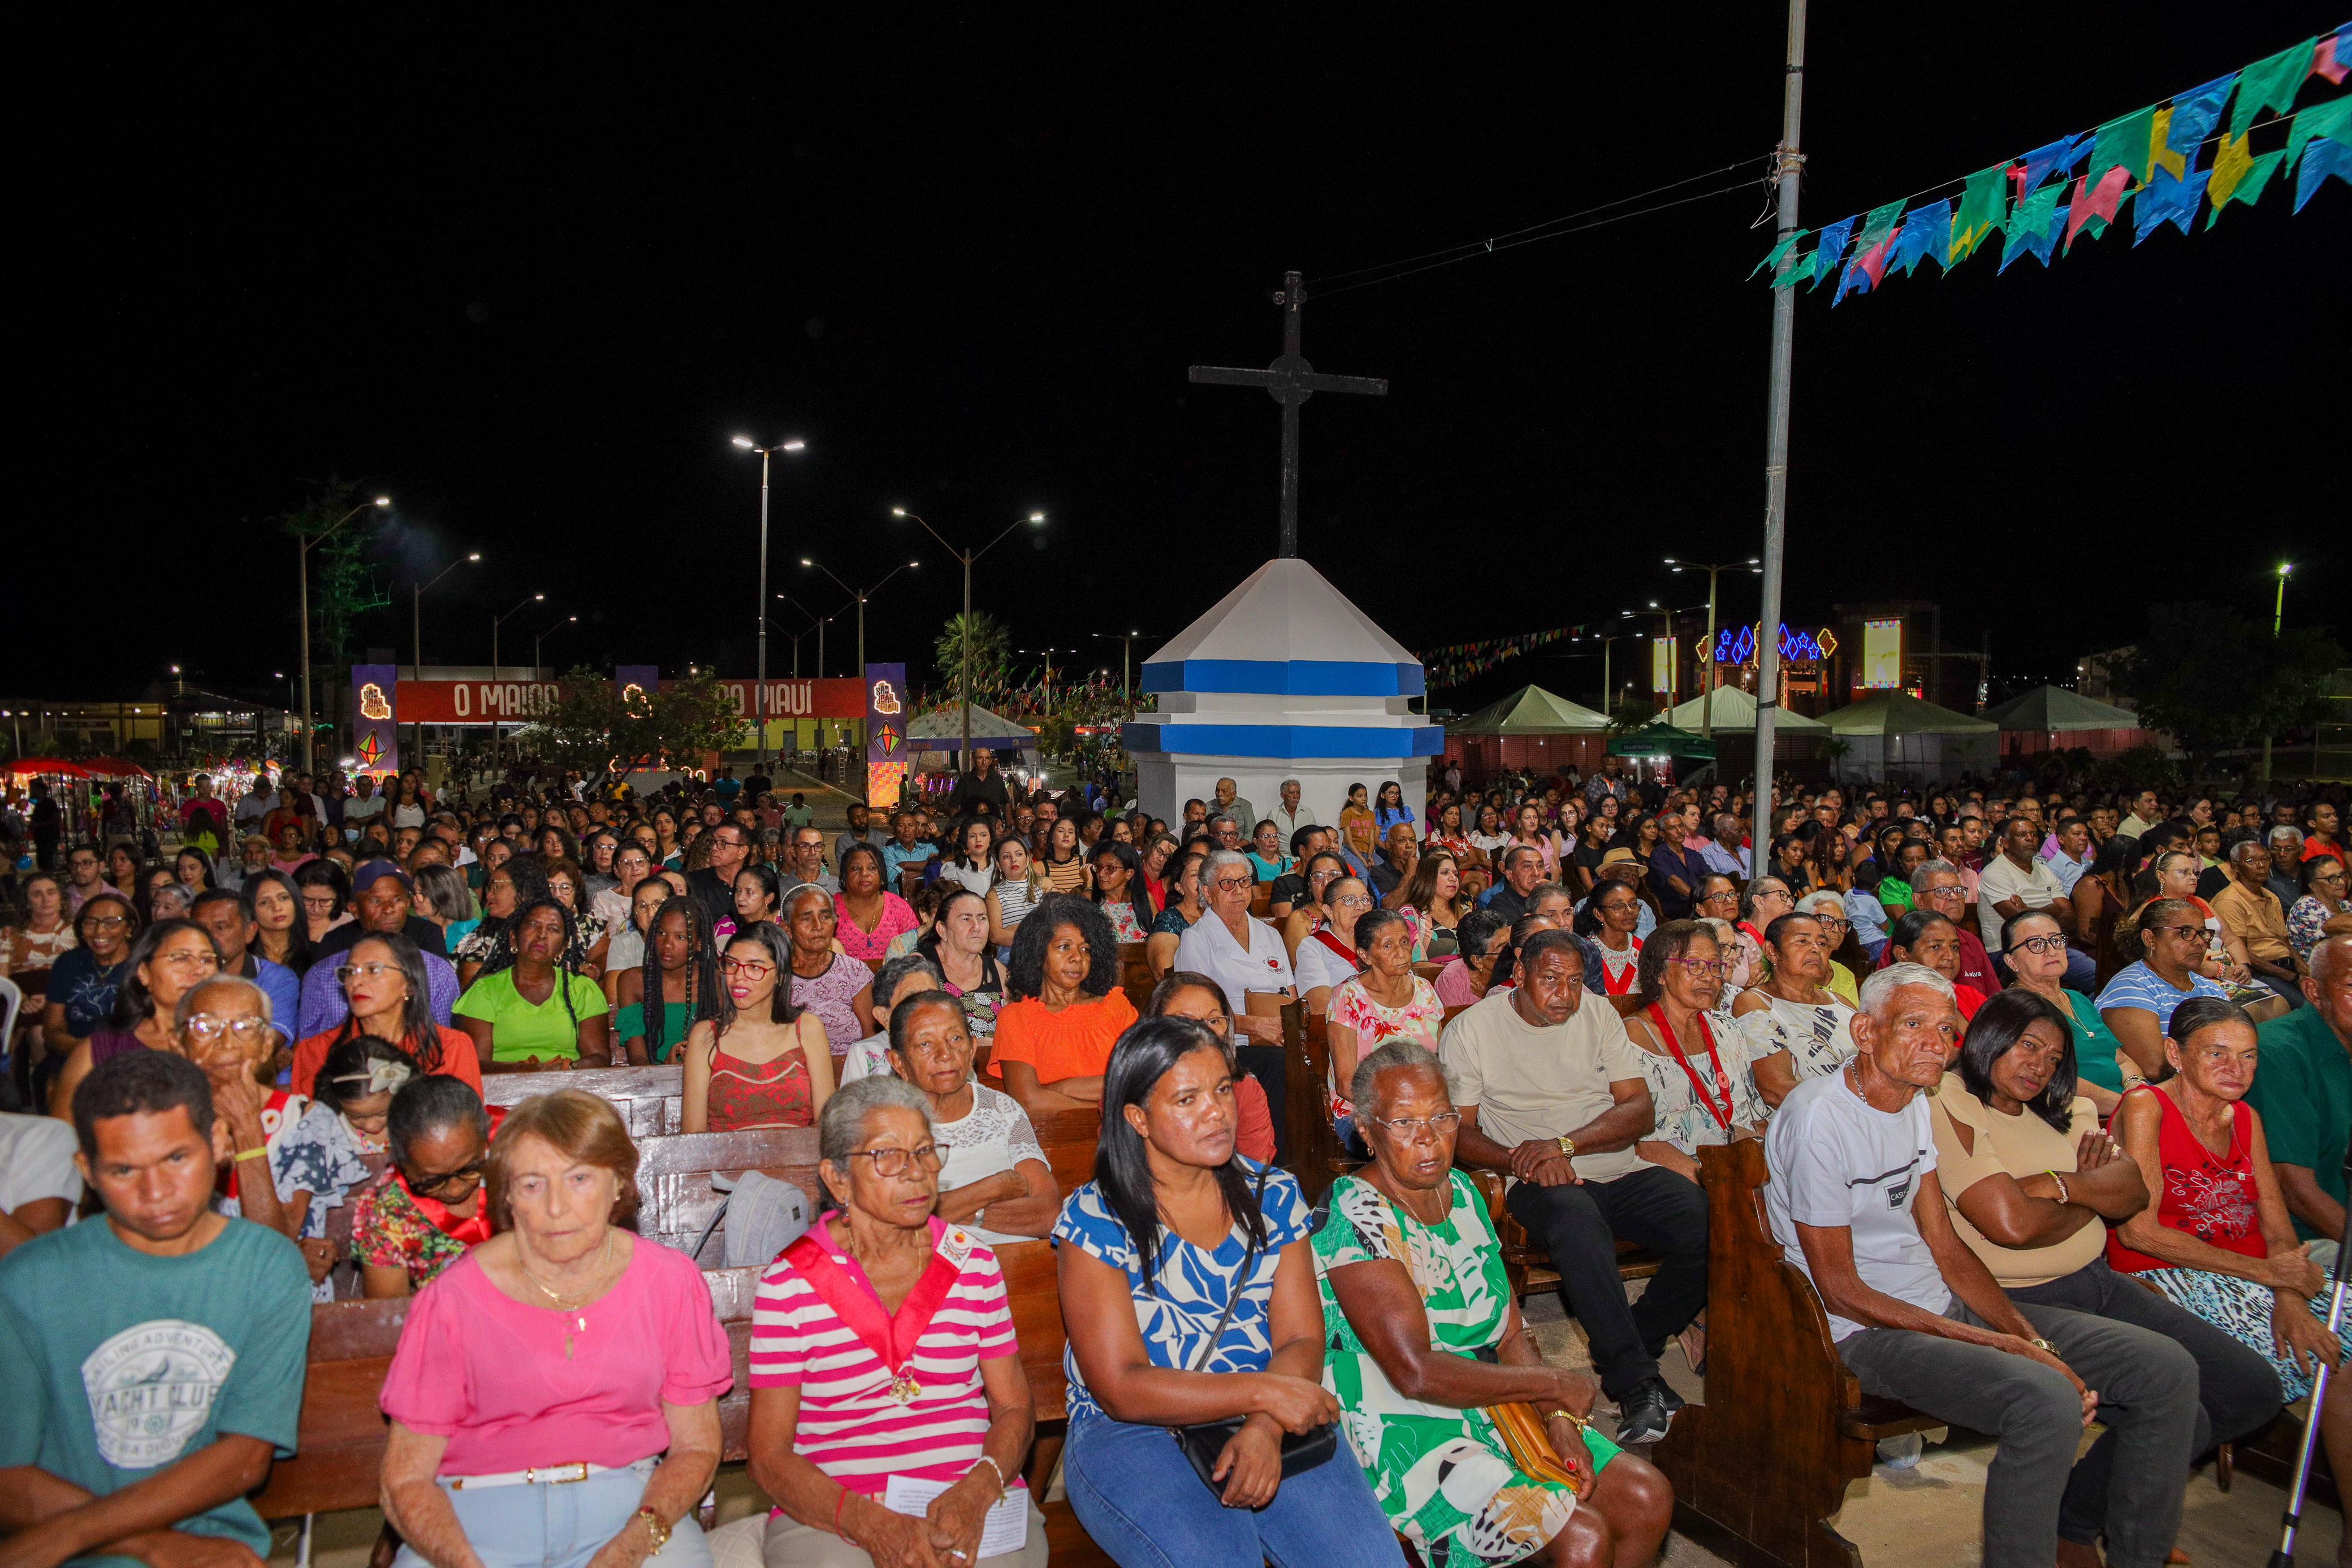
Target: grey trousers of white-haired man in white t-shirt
[(2146, 1398)]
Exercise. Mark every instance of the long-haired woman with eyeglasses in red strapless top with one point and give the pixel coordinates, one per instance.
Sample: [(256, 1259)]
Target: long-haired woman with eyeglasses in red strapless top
[(763, 1061)]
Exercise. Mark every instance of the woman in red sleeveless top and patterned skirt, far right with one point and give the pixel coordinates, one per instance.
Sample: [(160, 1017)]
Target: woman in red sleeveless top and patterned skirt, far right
[(2217, 1235)]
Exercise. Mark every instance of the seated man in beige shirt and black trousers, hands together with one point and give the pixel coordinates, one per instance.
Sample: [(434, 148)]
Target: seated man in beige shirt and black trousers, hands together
[(1553, 1094)]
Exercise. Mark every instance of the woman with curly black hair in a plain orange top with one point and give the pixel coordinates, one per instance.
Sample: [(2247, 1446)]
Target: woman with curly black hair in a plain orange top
[(1055, 1043)]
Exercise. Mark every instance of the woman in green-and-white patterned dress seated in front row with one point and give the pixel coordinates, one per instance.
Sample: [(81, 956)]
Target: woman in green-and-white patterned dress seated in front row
[(1422, 1336)]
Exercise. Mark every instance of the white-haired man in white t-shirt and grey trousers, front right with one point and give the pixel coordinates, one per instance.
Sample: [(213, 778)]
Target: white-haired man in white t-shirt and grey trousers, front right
[(1918, 1318)]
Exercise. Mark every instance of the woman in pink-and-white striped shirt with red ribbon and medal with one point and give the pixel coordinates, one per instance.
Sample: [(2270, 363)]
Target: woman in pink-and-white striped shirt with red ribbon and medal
[(888, 1402)]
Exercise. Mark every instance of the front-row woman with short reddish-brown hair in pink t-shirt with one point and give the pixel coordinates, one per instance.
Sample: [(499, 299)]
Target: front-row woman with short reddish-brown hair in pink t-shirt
[(556, 1391)]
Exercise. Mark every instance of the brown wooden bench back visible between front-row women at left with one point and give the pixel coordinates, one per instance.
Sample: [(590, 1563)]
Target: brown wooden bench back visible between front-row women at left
[(342, 1435)]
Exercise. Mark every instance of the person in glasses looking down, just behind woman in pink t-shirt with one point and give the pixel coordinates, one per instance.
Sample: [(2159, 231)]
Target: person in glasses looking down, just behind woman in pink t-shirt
[(429, 1207)]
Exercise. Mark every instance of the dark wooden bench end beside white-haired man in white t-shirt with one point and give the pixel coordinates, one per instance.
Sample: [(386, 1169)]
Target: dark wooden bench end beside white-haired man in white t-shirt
[(1765, 1461)]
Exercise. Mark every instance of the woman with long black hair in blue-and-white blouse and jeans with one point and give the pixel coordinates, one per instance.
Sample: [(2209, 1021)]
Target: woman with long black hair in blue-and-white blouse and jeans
[(1189, 1296)]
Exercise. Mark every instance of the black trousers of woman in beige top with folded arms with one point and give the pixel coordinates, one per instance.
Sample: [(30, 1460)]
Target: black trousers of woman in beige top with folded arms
[(2236, 1388)]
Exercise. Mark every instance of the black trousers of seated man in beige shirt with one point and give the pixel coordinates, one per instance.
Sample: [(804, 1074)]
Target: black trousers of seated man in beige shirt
[(1582, 1226)]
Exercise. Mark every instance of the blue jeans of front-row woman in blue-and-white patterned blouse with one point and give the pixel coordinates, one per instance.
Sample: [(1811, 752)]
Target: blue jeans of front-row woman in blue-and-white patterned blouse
[(1142, 1503)]
